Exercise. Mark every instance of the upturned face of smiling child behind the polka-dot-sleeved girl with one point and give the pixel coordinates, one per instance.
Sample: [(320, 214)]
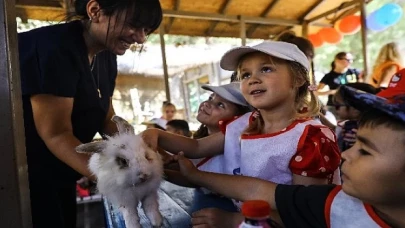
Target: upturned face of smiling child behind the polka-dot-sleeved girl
[(215, 109)]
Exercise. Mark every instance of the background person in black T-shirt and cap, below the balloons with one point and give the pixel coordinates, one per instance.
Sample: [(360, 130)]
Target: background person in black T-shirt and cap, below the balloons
[(340, 74)]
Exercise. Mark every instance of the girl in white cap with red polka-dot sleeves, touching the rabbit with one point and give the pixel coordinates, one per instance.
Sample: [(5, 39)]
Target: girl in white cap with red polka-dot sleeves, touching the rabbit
[(279, 141)]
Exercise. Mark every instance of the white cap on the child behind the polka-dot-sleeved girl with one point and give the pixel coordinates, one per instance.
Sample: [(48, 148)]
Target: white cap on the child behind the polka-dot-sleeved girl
[(230, 92)]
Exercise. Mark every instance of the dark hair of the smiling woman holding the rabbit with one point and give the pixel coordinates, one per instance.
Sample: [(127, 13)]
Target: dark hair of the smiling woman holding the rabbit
[(144, 13)]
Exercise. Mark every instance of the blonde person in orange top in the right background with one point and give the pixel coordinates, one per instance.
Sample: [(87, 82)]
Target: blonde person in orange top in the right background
[(388, 62)]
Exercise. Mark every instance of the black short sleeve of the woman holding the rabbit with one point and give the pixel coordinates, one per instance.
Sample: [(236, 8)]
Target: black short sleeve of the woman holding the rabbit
[(47, 69)]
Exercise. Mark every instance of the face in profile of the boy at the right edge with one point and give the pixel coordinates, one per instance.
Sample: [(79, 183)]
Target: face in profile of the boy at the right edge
[(374, 168)]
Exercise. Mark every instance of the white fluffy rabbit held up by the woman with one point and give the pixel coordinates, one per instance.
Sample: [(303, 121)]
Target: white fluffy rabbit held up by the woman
[(128, 172)]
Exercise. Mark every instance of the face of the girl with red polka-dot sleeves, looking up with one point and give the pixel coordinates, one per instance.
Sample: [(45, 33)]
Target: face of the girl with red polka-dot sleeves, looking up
[(266, 84)]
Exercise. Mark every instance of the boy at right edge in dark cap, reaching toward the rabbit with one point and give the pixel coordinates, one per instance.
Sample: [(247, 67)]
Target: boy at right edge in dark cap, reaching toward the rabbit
[(373, 170)]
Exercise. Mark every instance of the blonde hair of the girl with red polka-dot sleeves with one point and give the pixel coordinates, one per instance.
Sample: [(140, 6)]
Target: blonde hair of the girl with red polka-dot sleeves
[(306, 103)]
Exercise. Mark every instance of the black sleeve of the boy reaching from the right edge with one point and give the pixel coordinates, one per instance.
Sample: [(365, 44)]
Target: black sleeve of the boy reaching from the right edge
[(301, 207)]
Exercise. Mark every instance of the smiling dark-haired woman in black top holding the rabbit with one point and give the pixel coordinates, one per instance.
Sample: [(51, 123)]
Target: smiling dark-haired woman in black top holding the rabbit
[(68, 74)]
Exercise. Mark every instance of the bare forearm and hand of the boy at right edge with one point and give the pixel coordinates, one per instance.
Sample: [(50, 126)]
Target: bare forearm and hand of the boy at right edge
[(237, 187)]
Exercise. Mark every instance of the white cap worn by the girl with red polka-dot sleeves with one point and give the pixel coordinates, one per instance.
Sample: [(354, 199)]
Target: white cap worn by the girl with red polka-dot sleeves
[(281, 50)]
